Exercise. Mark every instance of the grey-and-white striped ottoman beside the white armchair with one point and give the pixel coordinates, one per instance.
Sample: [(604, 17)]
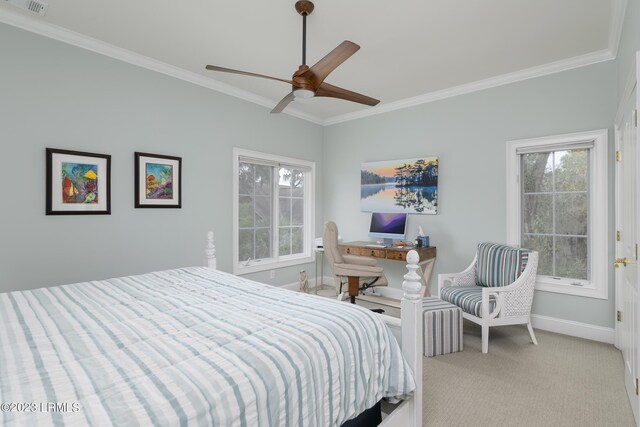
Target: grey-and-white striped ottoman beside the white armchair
[(442, 327)]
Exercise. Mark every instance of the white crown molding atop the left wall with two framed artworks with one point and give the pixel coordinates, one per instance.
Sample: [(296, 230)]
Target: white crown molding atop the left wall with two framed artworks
[(37, 26)]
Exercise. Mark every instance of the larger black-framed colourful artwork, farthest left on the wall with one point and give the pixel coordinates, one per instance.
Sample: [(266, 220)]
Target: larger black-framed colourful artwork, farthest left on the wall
[(78, 183)]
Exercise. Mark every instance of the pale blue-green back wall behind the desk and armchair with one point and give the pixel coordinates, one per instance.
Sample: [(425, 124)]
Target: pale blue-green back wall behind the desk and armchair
[(468, 134)]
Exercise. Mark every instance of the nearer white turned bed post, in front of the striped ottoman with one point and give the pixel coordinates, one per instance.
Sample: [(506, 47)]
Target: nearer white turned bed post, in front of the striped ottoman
[(411, 318)]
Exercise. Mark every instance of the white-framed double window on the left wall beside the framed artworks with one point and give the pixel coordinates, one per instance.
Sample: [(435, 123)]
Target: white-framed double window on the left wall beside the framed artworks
[(273, 211)]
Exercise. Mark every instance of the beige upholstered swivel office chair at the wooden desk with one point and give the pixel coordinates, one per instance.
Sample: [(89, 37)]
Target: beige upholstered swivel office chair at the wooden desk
[(359, 272)]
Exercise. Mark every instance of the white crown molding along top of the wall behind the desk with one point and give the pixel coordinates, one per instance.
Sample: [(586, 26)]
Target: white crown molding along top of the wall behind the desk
[(504, 79)]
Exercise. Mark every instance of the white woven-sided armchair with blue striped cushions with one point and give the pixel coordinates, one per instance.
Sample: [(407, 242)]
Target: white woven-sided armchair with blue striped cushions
[(496, 289)]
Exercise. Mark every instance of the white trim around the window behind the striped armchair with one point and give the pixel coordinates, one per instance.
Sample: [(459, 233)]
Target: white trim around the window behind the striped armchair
[(598, 286)]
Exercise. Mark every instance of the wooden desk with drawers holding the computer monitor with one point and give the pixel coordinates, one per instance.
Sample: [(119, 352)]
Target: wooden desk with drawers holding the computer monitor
[(427, 257)]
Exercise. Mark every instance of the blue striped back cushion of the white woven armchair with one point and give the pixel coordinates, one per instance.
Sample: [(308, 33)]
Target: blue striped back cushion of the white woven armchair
[(499, 265)]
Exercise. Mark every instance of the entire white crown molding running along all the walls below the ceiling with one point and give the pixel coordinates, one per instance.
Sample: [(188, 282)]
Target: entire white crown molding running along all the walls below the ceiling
[(37, 26)]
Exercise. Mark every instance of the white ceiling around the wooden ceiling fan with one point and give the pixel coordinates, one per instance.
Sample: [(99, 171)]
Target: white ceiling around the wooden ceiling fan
[(409, 48)]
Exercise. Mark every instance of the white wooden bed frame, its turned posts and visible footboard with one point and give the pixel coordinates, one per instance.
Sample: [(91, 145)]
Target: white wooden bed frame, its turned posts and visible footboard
[(407, 329)]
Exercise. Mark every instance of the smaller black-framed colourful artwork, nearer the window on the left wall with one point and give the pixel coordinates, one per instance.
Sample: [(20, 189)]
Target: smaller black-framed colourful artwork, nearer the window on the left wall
[(158, 181)]
